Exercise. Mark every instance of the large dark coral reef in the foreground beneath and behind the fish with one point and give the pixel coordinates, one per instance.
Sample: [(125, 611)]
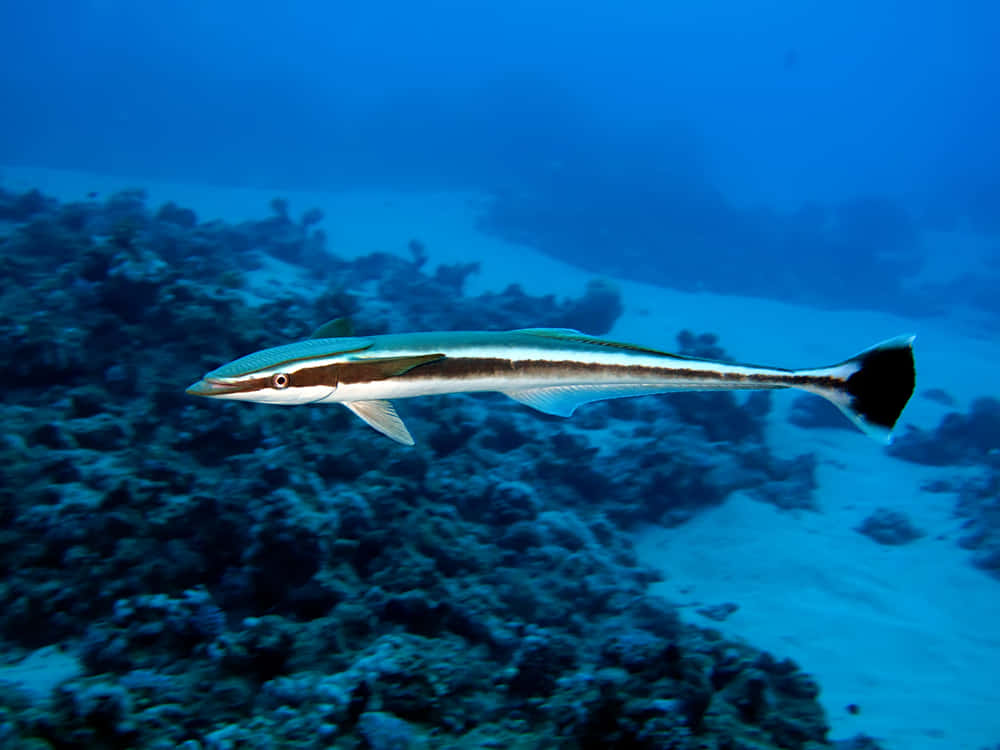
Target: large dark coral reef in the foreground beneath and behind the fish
[(252, 577)]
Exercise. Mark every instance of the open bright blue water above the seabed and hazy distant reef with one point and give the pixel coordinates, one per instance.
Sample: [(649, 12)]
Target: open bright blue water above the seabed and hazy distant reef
[(772, 104)]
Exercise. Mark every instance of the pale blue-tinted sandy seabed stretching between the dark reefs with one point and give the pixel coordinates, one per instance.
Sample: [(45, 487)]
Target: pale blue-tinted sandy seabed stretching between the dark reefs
[(907, 634)]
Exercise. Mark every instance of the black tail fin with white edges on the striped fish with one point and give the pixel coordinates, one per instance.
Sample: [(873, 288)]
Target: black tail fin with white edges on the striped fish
[(872, 387)]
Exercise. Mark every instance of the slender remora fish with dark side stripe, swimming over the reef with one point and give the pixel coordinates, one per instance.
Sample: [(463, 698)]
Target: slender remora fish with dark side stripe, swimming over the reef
[(552, 370)]
